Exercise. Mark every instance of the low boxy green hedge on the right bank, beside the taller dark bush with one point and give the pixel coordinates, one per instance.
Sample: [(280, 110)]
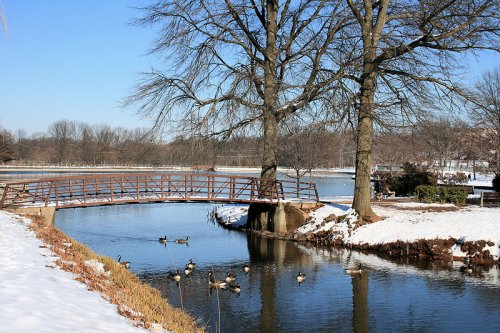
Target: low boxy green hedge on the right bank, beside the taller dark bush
[(441, 194)]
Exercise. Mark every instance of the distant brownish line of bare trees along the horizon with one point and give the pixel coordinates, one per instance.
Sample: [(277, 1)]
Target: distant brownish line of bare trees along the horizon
[(432, 142)]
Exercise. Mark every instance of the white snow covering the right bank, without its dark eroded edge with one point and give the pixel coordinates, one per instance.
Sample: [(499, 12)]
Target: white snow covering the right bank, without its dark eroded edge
[(406, 222)]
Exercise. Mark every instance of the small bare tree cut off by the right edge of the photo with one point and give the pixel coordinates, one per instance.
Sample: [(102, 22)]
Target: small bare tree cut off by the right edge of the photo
[(486, 110)]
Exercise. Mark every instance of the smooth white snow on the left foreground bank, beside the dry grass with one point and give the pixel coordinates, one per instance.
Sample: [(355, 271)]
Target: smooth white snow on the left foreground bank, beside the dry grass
[(37, 296)]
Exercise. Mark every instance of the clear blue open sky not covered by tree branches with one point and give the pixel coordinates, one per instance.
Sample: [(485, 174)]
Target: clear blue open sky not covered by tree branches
[(77, 60)]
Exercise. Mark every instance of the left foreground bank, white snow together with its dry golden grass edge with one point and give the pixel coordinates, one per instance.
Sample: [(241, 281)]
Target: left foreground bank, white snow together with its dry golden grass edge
[(73, 269)]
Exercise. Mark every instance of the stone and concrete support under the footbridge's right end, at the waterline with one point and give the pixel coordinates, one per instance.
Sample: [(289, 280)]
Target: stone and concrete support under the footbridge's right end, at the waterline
[(276, 218)]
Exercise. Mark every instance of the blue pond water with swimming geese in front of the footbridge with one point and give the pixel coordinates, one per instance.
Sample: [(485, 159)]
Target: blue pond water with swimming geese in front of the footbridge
[(392, 296)]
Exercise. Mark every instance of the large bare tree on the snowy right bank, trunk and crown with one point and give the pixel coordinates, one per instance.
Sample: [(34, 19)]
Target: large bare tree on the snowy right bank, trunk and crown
[(407, 50)]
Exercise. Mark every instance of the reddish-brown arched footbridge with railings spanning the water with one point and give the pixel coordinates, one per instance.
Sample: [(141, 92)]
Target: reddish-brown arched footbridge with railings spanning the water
[(112, 189)]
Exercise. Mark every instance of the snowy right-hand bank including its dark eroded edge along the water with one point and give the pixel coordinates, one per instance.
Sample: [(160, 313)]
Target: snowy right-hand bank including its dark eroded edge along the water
[(466, 231)]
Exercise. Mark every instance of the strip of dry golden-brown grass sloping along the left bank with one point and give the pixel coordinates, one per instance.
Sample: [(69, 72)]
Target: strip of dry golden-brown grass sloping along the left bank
[(135, 300)]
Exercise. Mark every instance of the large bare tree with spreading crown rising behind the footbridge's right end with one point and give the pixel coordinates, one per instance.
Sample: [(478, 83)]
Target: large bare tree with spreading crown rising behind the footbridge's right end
[(234, 64)]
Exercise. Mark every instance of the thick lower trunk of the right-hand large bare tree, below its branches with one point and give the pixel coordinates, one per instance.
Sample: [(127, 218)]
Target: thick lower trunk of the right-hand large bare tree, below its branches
[(362, 186)]
